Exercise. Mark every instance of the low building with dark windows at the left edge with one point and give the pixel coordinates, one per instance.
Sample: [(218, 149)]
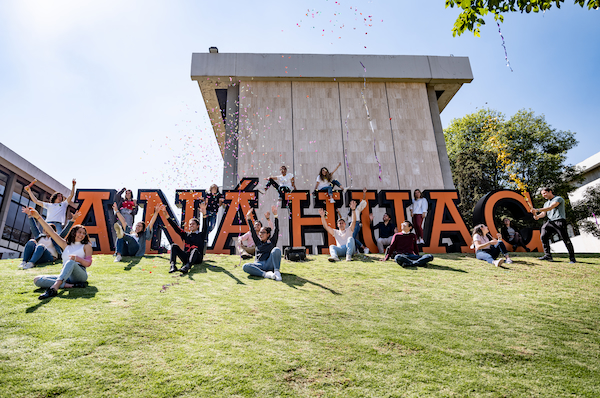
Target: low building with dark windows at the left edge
[(15, 174)]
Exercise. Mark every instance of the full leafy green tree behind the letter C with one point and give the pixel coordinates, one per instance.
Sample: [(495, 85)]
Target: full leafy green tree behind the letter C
[(488, 152)]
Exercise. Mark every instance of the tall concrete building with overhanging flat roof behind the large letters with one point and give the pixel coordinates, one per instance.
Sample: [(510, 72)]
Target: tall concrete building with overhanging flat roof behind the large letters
[(308, 111)]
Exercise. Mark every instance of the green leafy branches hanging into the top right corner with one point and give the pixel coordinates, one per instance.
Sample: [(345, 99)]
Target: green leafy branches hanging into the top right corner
[(473, 11)]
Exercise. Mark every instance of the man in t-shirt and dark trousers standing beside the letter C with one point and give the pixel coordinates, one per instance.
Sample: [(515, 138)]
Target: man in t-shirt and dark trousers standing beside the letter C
[(554, 208)]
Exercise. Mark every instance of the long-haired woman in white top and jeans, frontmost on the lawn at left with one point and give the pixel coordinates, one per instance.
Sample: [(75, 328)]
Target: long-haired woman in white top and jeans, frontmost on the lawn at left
[(76, 256)]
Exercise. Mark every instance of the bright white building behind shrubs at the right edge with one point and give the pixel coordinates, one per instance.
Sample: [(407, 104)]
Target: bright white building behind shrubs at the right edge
[(583, 243)]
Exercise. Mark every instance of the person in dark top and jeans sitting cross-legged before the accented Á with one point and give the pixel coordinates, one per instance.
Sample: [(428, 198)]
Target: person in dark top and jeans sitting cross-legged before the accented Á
[(268, 256)]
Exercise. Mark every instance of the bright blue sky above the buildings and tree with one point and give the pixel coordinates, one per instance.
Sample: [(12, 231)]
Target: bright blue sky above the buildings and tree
[(101, 90)]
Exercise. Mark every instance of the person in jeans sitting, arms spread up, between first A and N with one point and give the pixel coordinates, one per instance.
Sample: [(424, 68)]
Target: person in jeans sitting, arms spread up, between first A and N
[(133, 244)]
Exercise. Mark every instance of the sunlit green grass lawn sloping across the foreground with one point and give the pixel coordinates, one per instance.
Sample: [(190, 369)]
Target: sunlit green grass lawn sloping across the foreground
[(459, 327)]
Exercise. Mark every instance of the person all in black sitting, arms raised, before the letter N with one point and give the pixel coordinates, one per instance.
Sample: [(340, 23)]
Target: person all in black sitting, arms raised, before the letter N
[(193, 250)]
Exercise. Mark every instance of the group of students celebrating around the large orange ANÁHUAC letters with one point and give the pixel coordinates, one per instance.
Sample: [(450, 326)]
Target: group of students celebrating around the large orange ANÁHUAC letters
[(71, 242)]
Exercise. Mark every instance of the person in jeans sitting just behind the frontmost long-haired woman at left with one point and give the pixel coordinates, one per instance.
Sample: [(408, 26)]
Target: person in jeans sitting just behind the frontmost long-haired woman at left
[(42, 249)]
